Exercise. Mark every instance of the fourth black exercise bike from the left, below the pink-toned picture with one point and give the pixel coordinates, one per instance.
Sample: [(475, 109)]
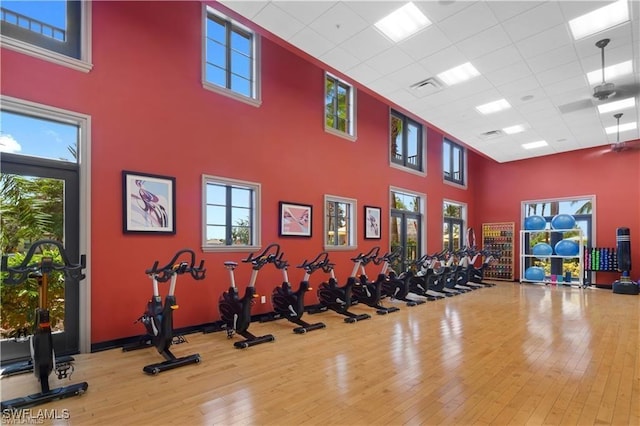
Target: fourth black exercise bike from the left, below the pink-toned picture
[(289, 304)]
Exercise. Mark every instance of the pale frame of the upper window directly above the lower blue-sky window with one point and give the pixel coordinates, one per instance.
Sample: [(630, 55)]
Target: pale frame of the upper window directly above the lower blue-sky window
[(230, 25)]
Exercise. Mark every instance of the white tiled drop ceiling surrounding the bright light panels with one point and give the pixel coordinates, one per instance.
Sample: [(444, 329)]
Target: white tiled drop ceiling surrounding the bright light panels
[(524, 51)]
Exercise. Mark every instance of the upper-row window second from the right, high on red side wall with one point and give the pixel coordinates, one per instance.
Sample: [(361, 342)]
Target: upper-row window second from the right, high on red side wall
[(406, 142)]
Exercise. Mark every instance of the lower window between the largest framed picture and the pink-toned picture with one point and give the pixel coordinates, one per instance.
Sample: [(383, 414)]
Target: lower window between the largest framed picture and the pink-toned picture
[(231, 216)]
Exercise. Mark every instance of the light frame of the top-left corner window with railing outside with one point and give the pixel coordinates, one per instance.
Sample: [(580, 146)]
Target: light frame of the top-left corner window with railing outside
[(25, 42)]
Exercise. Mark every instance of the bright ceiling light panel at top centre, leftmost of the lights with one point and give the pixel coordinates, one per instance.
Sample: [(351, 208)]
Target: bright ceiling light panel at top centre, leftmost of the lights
[(338, 23)]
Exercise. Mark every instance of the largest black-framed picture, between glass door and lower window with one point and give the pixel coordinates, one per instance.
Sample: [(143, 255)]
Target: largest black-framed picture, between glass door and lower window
[(148, 203)]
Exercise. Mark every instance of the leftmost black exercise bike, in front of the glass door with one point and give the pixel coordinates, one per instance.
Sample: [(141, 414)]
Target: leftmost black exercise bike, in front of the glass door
[(41, 342)]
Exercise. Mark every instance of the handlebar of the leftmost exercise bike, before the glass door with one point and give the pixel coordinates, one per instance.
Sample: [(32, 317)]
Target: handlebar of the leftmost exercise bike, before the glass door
[(20, 273)]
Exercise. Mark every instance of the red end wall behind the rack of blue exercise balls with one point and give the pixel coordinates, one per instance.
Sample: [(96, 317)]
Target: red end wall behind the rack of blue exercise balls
[(614, 179)]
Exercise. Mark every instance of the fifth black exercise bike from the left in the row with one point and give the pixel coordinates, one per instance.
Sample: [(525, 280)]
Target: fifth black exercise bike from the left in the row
[(336, 298)]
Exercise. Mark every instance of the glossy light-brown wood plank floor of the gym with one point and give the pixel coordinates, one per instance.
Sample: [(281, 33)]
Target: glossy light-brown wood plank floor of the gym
[(511, 354)]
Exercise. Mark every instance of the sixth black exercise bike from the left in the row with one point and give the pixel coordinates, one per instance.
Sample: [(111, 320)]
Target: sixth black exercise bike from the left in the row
[(370, 292)]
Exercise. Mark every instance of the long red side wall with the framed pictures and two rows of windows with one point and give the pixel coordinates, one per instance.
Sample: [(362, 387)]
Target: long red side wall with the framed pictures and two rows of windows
[(150, 114)]
